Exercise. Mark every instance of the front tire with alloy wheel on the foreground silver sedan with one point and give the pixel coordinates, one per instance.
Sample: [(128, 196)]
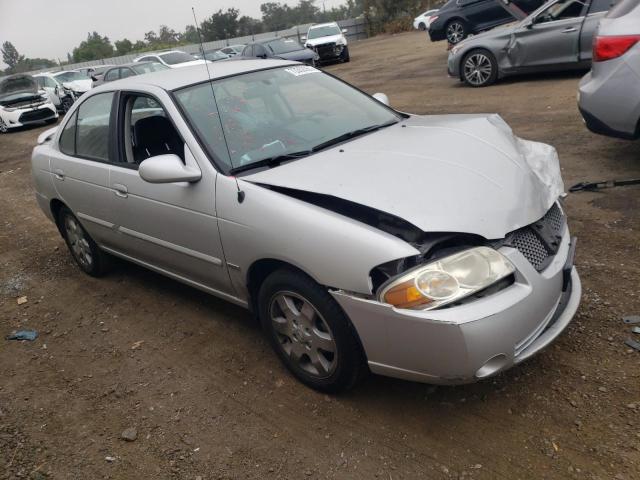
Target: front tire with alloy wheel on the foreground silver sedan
[(309, 332)]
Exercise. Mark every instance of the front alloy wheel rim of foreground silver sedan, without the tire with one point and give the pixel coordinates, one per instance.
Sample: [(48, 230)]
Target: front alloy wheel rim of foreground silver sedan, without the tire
[(303, 334)]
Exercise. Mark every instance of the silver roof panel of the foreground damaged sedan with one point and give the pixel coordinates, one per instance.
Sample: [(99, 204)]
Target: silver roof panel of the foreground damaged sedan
[(173, 79)]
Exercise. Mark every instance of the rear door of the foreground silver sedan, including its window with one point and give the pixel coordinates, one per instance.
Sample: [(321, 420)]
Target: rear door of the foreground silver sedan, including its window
[(80, 166)]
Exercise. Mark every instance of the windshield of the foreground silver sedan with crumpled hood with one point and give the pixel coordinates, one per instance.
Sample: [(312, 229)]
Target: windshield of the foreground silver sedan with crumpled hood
[(278, 112)]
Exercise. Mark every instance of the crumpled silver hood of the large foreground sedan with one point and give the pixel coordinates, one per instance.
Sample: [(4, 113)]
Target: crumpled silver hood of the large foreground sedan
[(448, 173)]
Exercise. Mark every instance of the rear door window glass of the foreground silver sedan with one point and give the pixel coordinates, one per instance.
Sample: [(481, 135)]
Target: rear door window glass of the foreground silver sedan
[(92, 130)]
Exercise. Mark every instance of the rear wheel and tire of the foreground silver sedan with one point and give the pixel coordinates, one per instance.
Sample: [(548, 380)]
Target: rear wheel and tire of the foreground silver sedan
[(83, 249)]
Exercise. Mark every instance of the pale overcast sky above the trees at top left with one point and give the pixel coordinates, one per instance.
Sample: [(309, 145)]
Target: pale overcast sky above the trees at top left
[(51, 28)]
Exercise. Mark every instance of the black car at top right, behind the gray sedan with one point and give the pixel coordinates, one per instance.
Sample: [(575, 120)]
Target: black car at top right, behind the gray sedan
[(457, 19)]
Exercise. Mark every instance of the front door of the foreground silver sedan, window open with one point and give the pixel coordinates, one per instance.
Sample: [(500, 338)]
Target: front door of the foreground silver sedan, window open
[(171, 227)]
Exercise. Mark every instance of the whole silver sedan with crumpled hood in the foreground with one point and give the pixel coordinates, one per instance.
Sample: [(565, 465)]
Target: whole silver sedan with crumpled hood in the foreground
[(323, 215)]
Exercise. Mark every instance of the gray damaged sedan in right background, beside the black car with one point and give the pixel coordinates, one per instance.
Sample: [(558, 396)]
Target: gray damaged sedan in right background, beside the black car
[(556, 37)]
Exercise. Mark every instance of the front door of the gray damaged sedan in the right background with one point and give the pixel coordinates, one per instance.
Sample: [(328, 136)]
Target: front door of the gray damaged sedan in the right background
[(553, 39)]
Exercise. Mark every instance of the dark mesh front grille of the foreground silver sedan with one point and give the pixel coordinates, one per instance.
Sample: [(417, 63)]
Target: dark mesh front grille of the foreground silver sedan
[(539, 242)]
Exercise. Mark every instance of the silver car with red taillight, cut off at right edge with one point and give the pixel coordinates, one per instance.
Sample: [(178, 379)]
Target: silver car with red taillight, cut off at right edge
[(609, 95)]
